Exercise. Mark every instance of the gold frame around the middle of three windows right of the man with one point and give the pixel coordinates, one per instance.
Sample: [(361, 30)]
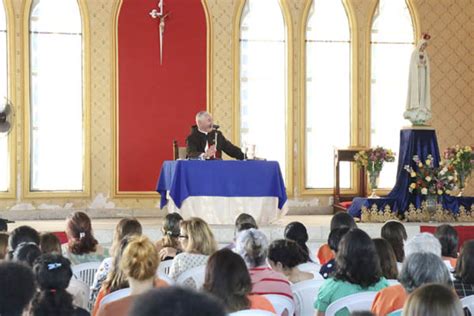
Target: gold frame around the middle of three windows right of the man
[(302, 104)]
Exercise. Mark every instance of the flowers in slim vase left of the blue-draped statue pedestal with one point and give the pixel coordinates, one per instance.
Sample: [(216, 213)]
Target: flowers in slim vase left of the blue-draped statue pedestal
[(373, 159)]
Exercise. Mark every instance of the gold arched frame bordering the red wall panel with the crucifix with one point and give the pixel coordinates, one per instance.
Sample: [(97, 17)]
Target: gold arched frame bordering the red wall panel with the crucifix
[(115, 100)]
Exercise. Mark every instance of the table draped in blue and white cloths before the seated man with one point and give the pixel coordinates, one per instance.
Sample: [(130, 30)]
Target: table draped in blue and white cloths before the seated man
[(218, 191)]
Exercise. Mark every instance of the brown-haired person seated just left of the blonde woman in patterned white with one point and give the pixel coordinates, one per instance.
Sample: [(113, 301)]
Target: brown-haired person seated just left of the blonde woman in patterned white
[(169, 246)]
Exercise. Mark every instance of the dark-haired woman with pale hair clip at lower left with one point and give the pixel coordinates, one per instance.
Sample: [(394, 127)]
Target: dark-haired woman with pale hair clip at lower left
[(53, 273)]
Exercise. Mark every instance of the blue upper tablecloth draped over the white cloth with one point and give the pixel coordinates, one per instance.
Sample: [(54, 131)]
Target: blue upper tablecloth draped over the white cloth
[(184, 178)]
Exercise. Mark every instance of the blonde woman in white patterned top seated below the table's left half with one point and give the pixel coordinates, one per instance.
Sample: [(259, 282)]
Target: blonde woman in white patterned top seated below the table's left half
[(197, 242)]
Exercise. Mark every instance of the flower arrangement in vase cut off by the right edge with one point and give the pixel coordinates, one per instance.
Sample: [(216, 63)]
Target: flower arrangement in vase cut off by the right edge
[(460, 159)]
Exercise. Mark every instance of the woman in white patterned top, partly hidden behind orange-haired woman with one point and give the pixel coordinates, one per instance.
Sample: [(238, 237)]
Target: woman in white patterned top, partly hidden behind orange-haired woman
[(125, 227)]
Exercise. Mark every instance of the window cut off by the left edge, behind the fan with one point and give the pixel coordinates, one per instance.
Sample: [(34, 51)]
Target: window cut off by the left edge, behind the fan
[(4, 148)]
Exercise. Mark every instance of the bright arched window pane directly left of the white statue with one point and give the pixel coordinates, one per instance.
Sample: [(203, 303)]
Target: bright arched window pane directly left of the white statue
[(392, 40)]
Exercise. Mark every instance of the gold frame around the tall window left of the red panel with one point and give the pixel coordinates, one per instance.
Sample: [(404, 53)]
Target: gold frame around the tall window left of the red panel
[(27, 193)]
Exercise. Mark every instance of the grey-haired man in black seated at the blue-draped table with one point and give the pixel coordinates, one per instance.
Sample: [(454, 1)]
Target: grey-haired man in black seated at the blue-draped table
[(201, 143)]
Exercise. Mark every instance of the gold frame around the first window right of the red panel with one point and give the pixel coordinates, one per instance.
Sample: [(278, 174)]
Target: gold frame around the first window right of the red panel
[(289, 79)]
